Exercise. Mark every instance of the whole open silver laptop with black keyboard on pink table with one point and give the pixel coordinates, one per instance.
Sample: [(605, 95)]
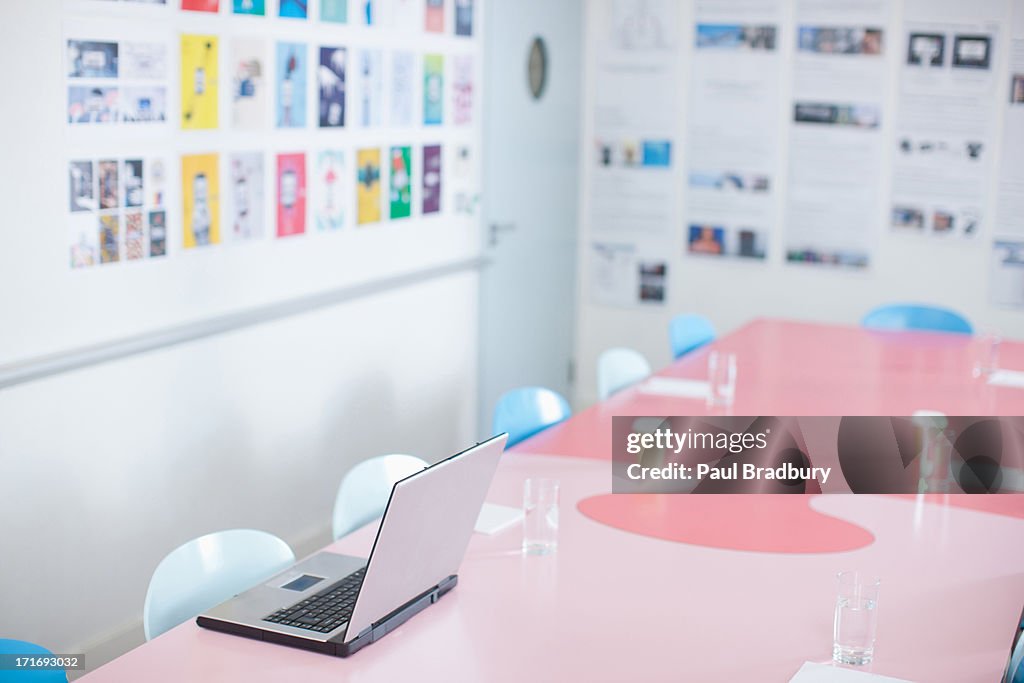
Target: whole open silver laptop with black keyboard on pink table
[(338, 605)]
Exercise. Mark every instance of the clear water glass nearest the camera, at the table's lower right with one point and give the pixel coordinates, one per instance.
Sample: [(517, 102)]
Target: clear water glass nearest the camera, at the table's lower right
[(857, 619)]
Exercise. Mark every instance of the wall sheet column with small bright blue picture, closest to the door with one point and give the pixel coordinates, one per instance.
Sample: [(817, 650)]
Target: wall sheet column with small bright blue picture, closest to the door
[(633, 185)]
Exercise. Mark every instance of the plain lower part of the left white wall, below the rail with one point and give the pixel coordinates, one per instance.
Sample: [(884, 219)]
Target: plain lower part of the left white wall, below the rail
[(107, 469)]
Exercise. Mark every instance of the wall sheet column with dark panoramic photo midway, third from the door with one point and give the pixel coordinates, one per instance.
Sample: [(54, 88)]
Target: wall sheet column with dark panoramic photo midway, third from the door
[(836, 135)]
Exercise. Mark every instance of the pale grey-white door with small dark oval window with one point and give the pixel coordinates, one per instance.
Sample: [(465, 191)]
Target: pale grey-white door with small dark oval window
[(531, 196)]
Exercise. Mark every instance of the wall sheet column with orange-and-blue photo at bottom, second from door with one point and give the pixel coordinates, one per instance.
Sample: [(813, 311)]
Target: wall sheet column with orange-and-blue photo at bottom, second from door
[(734, 102)]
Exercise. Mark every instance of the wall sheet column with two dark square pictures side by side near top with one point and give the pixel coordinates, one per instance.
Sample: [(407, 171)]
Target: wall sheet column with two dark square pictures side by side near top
[(947, 117)]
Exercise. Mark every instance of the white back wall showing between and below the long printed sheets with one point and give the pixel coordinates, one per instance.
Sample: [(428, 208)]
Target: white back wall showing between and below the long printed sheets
[(732, 293)]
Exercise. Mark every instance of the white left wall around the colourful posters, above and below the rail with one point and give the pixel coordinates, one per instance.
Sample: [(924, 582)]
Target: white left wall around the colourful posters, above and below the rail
[(105, 471)]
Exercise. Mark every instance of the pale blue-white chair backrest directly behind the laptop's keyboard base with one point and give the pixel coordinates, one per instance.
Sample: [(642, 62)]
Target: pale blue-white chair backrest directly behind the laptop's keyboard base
[(207, 571)]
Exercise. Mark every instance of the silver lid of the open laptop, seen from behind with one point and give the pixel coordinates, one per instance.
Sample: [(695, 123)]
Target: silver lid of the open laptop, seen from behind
[(425, 531)]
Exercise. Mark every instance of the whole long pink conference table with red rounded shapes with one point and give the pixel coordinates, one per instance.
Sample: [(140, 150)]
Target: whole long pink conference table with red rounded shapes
[(621, 606)]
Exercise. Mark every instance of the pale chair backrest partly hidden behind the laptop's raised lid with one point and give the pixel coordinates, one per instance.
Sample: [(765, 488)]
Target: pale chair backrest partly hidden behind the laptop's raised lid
[(365, 490)]
